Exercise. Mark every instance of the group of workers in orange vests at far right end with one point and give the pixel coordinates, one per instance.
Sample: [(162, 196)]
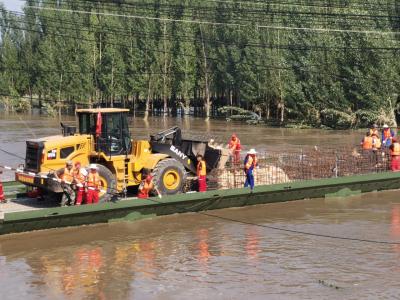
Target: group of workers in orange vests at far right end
[(375, 141)]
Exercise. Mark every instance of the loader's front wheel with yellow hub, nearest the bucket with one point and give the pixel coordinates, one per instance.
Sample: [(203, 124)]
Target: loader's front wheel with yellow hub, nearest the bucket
[(169, 176)]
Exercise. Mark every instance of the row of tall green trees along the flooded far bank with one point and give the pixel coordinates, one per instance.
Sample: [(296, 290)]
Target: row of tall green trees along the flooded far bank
[(231, 53)]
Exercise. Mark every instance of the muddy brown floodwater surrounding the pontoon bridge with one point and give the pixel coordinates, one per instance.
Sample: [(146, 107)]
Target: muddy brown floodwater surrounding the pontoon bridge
[(202, 257)]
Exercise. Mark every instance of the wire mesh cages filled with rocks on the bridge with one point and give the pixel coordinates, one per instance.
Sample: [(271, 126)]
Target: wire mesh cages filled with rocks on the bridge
[(303, 164)]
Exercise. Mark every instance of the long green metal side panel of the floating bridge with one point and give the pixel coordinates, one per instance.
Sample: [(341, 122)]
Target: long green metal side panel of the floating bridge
[(135, 209)]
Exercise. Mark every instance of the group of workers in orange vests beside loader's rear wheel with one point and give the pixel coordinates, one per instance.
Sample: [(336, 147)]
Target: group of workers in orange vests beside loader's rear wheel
[(79, 186)]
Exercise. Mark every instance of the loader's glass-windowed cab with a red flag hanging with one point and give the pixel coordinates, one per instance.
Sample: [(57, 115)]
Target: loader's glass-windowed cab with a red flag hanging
[(109, 127)]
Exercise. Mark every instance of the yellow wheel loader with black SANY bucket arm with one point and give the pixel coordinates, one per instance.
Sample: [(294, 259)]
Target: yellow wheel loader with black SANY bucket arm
[(102, 137)]
